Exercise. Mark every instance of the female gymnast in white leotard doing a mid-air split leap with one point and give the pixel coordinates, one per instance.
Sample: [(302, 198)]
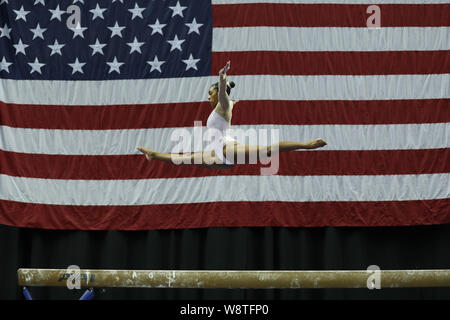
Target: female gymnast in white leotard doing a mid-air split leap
[(220, 119)]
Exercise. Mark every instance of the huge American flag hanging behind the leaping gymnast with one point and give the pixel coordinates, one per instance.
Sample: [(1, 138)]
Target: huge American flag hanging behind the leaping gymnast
[(76, 101)]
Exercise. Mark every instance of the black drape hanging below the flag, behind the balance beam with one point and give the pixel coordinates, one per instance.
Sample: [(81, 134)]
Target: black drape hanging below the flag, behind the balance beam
[(425, 247)]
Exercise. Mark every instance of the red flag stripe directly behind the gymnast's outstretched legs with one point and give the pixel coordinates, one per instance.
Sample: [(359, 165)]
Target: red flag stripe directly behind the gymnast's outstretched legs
[(302, 163)]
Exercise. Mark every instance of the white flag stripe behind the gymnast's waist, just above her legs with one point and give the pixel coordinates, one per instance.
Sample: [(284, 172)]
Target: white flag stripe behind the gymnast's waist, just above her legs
[(122, 142)]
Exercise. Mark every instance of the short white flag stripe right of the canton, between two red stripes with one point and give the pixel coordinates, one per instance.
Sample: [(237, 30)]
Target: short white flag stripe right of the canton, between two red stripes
[(330, 39)]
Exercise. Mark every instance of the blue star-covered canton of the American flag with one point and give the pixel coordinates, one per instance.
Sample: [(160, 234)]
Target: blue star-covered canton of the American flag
[(100, 40)]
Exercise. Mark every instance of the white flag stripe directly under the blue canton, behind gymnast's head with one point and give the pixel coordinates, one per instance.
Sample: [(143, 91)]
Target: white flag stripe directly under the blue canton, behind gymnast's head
[(259, 87)]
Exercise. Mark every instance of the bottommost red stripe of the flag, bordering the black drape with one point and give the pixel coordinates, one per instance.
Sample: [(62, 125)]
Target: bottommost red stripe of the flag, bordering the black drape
[(226, 214)]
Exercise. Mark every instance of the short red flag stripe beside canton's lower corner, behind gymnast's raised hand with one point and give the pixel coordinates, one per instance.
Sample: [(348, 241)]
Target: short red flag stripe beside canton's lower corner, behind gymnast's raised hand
[(333, 63)]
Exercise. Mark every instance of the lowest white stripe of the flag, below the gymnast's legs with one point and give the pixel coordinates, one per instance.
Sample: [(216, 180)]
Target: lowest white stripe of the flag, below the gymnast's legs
[(225, 188)]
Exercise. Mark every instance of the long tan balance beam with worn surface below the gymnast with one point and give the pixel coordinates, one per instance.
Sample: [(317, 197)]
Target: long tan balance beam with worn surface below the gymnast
[(235, 279)]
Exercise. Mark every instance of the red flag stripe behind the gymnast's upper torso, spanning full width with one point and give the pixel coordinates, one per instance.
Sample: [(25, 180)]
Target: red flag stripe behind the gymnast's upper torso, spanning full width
[(245, 113)]
